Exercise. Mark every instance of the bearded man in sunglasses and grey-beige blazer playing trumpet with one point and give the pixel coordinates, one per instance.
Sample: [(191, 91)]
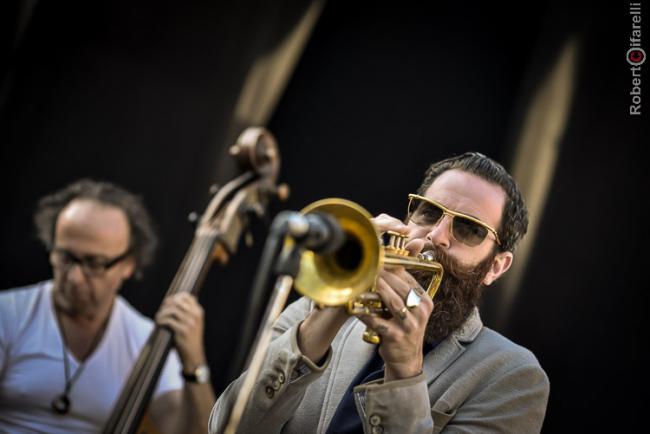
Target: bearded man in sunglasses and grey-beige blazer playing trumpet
[(437, 369)]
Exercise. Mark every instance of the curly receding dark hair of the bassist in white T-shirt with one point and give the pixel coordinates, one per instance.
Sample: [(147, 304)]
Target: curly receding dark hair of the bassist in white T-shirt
[(142, 240)]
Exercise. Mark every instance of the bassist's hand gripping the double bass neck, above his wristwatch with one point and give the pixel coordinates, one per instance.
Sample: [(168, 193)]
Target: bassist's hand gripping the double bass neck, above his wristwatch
[(183, 314)]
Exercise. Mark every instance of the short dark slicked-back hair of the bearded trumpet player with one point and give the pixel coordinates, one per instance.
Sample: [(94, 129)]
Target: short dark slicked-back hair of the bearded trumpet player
[(514, 221)]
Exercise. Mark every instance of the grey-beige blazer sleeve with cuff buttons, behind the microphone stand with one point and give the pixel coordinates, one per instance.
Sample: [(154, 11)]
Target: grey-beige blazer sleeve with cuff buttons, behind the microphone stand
[(282, 382)]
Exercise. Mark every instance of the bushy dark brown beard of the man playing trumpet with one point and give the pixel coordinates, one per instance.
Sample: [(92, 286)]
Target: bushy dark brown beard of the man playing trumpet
[(458, 294)]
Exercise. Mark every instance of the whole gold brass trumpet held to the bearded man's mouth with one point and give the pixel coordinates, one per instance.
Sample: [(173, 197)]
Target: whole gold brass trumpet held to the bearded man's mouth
[(346, 277)]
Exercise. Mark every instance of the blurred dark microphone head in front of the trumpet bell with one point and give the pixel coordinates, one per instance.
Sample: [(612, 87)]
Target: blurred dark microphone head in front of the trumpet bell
[(318, 232)]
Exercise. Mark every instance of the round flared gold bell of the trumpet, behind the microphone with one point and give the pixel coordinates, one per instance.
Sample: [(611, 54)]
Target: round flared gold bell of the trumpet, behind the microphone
[(336, 278)]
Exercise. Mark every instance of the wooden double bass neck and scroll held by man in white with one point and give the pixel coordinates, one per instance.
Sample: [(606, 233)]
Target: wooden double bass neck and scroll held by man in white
[(216, 238)]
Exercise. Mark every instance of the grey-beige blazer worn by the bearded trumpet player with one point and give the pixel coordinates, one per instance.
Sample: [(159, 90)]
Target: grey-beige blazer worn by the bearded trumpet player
[(475, 381)]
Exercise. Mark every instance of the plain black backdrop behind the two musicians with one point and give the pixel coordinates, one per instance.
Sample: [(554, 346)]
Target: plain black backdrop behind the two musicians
[(141, 94)]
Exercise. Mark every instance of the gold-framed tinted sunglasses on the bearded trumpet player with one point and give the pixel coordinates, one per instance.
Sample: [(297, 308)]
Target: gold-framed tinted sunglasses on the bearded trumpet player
[(465, 229)]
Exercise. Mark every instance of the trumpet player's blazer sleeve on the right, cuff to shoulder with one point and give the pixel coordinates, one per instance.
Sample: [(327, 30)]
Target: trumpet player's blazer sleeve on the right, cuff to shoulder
[(512, 402)]
